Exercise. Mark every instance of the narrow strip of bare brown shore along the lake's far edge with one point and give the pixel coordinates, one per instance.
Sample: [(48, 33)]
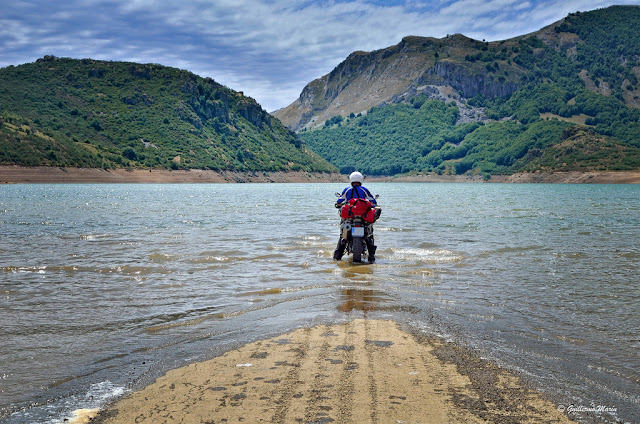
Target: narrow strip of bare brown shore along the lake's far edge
[(14, 174)]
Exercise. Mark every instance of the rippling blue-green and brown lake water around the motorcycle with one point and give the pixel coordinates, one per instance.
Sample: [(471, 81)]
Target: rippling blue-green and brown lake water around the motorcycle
[(104, 287)]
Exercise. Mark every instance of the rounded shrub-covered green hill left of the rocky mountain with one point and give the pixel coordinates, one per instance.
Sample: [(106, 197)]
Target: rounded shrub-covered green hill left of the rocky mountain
[(98, 114)]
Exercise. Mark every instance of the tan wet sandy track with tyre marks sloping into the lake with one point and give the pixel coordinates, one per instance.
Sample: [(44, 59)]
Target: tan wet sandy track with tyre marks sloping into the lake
[(364, 371)]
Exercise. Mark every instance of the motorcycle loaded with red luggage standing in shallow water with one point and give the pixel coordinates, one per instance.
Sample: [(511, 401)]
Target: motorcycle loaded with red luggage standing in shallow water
[(356, 228)]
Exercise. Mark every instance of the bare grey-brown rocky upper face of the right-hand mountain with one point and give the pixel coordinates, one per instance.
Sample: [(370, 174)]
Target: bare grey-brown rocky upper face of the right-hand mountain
[(416, 65)]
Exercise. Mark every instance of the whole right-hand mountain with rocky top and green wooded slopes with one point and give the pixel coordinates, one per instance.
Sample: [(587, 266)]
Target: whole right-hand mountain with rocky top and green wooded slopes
[(506, 104)]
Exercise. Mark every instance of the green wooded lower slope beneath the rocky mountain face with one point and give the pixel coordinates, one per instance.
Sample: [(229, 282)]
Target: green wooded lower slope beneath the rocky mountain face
[(424, 137)]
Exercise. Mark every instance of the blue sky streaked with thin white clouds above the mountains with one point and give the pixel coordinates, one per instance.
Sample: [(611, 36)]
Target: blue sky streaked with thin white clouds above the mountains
[(268, 49)]
